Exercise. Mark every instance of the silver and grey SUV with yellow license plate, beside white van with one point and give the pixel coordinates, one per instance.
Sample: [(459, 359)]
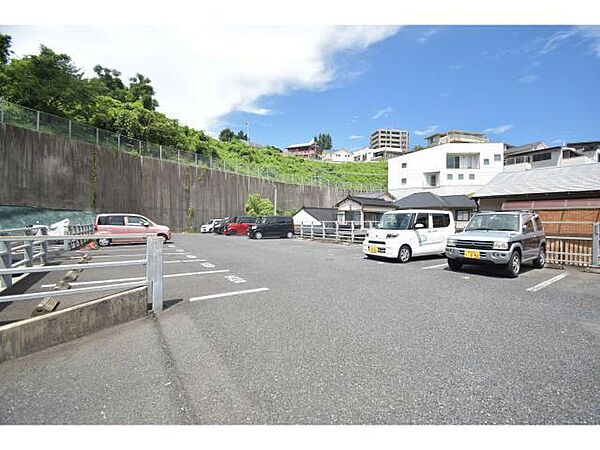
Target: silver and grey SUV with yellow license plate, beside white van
[(503, 239)]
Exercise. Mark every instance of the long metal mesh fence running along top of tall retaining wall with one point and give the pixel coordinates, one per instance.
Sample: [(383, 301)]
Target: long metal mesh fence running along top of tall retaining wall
[(31, 119)]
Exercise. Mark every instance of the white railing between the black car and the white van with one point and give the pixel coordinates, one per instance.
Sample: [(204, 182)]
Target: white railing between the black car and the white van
[(351, 232)]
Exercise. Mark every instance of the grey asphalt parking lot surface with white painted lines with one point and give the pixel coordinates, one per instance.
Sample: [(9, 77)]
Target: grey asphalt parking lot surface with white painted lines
[(291, 331)]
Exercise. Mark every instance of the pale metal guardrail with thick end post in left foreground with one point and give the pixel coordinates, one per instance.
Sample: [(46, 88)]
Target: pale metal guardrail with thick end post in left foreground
[(153, 262)]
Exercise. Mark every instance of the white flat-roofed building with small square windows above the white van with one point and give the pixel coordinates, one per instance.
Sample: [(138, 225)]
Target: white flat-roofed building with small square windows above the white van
[(445, 169)]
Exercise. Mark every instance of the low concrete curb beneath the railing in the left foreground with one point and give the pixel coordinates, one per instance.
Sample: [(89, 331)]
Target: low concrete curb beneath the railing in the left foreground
[(31, 335)]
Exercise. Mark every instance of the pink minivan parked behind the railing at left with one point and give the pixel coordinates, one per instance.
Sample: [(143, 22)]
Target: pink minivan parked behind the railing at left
[(106, 225)]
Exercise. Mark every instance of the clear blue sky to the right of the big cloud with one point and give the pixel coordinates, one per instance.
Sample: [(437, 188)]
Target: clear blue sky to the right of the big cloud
[(517, 83)]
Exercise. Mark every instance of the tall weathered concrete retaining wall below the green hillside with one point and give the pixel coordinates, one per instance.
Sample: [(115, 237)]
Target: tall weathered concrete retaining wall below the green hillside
[(48, 171)]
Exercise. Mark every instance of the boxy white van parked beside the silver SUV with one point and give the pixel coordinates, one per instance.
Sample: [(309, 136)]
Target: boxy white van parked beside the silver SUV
[(406, 233)]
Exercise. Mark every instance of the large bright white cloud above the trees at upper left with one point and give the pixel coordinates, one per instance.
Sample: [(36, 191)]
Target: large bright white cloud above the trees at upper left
[(203, 73)]
